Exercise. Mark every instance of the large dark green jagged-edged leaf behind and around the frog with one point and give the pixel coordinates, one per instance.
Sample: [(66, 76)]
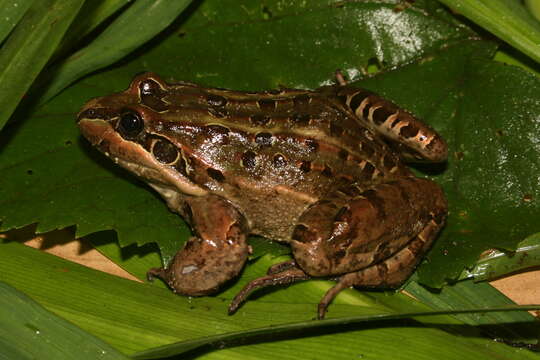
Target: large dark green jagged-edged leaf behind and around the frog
[(481, 107)]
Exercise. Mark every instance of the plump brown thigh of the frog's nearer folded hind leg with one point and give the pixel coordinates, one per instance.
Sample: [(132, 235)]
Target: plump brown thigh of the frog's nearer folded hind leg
[(339, 237)]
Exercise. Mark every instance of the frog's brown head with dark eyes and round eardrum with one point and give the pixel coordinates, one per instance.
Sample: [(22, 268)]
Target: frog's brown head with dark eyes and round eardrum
[(127, 127)]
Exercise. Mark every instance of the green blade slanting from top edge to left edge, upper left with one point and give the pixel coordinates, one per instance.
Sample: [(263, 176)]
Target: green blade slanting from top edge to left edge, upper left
[(29, 47)]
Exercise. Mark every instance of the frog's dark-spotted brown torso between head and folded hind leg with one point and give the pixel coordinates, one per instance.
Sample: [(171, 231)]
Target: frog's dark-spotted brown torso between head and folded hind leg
[(272, 154)]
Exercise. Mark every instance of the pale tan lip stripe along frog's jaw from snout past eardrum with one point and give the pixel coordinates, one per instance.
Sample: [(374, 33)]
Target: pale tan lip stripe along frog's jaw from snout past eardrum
[(134, 157)]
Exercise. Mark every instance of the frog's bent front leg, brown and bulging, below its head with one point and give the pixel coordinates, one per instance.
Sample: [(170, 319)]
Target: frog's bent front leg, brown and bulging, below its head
[(215, 255)]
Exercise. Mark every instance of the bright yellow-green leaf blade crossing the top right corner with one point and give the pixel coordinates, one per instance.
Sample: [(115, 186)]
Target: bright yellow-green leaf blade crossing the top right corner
[(507, 19)]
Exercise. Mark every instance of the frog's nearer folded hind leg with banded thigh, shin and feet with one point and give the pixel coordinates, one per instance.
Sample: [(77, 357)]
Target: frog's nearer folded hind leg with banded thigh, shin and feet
[(374, 238)]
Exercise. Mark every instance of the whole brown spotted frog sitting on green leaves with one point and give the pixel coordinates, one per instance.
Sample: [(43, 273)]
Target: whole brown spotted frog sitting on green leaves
[(324, 171)]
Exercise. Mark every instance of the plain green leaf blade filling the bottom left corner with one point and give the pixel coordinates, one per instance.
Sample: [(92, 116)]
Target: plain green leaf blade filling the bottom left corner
[(28, 331)]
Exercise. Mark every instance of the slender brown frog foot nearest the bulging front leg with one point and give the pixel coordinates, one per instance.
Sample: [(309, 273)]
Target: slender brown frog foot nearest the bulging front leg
[(286, 277)]
